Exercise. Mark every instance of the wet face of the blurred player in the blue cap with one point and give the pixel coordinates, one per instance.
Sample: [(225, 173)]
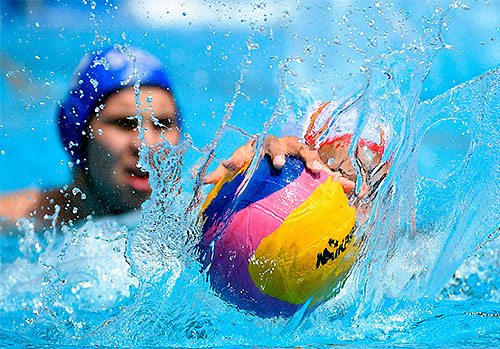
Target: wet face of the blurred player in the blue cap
[(113, 151)]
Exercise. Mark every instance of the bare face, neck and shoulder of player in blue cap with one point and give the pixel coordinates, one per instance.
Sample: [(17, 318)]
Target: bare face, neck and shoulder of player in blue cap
[(111, 183)]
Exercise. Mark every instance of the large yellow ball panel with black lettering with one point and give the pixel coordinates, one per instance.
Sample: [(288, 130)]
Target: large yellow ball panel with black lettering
[(311, 251)]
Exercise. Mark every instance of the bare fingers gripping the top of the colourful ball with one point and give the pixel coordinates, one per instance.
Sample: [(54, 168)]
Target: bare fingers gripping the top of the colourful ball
[(276, 148)]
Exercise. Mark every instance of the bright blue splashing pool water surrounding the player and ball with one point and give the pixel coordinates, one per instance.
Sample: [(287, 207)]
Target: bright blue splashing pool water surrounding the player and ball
[(428, 271)]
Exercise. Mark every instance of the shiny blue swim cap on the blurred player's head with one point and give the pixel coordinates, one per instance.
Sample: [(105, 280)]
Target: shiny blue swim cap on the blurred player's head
[(99, 75)]
